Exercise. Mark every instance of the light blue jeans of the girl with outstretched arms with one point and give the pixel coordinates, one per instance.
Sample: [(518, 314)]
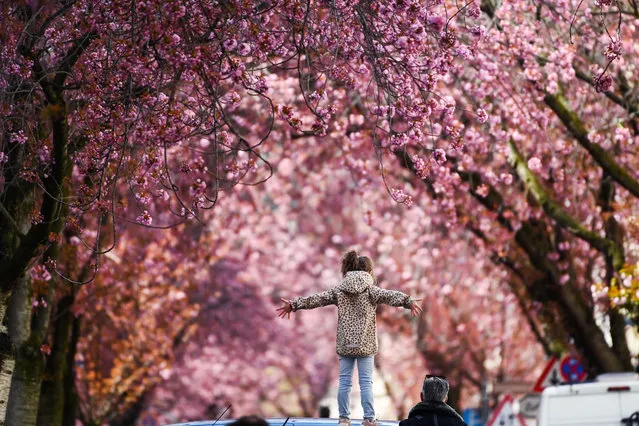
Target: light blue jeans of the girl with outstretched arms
[(365, 374)]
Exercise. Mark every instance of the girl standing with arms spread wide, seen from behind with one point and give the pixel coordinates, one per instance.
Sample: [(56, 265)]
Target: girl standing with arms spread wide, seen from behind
[(356, 298)]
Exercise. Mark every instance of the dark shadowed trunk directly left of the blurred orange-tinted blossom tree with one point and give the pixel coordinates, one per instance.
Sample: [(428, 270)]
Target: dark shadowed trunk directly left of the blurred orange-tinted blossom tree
[(52, 400)]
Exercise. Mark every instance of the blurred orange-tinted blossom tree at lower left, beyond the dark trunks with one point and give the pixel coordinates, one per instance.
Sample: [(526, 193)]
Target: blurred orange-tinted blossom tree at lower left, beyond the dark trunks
[(129, 337)]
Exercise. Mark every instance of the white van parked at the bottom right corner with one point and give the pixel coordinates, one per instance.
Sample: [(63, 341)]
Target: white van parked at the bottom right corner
[(612, 400)]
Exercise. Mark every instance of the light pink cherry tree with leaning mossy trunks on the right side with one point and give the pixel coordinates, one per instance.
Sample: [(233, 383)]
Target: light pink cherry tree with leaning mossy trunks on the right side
[(551, 171)]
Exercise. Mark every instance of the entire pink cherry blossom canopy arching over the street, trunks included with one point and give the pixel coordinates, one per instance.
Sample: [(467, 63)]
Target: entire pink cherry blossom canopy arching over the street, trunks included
[(483, 153)]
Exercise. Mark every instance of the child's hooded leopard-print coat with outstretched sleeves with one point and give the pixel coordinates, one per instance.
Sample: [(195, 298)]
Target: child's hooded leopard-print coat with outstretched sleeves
[(356, 298)]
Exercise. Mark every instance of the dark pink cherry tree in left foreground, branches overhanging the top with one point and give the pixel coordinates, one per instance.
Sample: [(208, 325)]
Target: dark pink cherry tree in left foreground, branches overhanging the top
[(158, 100)]
